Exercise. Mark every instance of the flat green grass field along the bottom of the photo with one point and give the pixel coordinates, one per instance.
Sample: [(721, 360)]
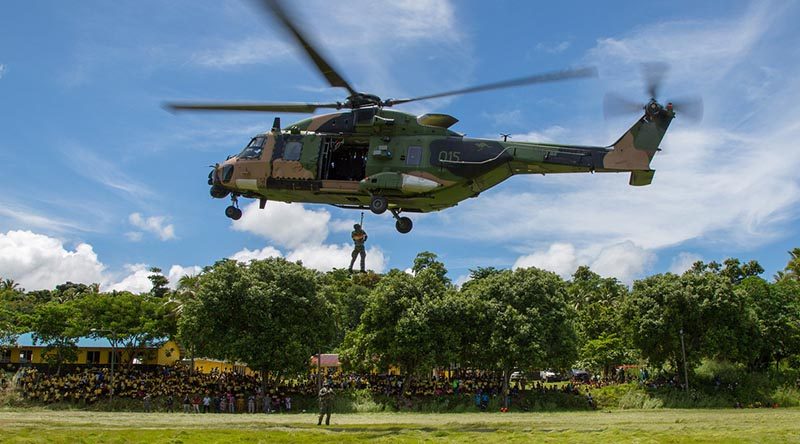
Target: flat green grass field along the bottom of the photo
[(663, 425)]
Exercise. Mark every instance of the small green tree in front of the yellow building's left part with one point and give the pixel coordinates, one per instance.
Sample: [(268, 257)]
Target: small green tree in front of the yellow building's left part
[(56, 325)]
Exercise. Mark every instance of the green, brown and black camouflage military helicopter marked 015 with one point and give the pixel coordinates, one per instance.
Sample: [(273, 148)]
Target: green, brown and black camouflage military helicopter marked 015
[(365, 155)]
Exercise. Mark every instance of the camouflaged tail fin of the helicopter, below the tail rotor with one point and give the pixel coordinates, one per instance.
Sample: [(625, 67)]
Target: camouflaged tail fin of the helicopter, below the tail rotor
[(636, 148)]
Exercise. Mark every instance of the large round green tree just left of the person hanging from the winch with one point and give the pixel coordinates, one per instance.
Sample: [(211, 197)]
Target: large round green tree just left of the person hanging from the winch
[(266, 313)]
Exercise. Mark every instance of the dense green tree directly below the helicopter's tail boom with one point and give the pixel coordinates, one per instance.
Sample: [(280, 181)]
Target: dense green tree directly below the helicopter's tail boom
[(529, 321)]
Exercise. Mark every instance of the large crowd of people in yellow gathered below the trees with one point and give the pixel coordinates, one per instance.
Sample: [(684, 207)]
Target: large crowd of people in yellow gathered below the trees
[(178, 389)]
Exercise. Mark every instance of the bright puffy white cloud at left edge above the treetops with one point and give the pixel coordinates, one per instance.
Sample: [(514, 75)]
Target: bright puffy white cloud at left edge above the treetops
[(39, 262)]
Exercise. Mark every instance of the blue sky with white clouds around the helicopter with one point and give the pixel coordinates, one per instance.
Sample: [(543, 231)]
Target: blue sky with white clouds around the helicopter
[(100, 183)]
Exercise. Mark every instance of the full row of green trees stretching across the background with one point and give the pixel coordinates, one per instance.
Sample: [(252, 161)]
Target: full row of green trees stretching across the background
[(274, 314)]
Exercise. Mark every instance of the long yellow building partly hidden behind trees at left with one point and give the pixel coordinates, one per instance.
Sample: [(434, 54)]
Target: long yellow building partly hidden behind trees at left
[(90, 351)]
